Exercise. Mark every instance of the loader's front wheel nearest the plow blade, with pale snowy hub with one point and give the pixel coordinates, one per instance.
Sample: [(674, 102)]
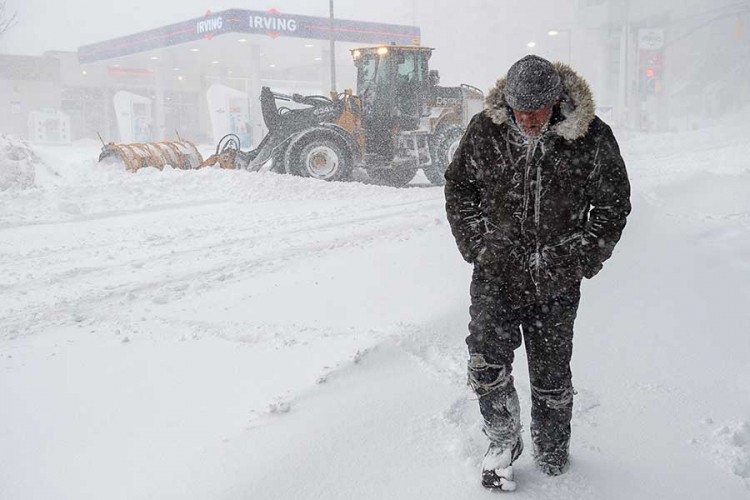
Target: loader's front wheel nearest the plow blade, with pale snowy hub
[(323, 159)]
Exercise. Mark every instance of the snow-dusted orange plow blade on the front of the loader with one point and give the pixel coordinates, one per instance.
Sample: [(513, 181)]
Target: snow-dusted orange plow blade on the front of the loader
[(179, 154)]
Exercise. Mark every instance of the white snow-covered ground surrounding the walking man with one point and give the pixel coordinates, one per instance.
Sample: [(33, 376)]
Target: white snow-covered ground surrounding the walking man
[(229, 335)]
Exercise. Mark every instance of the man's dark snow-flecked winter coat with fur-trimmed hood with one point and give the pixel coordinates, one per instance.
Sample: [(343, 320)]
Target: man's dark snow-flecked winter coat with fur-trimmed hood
[(537, 215)]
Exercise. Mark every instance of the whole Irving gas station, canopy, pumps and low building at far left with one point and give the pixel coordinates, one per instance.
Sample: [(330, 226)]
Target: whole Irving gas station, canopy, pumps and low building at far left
[(199, 78)]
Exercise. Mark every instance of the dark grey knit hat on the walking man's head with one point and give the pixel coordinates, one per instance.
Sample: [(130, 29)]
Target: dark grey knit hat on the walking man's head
[(532, 83)]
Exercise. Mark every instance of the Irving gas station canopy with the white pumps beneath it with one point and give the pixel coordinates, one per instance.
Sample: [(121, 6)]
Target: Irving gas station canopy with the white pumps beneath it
[(203, 76)]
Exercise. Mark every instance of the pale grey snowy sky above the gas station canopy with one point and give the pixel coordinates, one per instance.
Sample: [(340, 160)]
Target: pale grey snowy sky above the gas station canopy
[(482, 36)]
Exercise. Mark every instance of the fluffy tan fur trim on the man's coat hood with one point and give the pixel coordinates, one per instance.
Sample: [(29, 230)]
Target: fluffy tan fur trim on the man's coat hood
[(577, 105)]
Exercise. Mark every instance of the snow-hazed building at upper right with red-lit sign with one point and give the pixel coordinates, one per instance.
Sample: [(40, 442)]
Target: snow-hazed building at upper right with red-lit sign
[(667, 65)]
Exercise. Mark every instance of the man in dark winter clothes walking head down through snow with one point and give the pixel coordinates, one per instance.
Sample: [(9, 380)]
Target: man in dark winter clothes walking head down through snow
[(536, 195)]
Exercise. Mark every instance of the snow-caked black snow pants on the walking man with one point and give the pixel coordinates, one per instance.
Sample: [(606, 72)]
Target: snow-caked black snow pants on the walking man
[(495, 332)]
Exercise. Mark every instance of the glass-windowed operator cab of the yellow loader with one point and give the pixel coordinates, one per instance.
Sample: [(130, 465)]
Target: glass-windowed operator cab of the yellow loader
[(393, 83)]
